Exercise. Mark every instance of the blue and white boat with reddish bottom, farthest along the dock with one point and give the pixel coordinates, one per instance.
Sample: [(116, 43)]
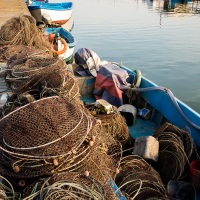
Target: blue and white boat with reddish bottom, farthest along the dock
[(51, 13)]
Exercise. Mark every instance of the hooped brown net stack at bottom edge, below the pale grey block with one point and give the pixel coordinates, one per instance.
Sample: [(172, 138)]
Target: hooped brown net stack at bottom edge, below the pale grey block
[(139, 181)]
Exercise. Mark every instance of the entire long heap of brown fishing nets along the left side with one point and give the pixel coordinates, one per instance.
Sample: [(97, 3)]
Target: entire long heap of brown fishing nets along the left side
[(45, 128)]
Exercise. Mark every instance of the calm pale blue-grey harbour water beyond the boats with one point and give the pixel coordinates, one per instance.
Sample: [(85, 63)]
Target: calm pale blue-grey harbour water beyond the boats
[(159, 37)]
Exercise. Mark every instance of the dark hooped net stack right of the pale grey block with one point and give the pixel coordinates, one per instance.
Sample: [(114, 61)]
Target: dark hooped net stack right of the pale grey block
[(176, 149)]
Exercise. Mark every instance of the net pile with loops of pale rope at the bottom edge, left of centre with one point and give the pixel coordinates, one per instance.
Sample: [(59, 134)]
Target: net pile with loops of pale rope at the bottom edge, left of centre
[(69, 185)]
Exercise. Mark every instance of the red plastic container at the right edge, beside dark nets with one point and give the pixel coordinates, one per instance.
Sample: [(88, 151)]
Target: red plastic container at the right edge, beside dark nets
[(195, 174)]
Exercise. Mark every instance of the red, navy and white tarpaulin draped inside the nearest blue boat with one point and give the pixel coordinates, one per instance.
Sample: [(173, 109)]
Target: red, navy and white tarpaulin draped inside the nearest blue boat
[(110, 84)]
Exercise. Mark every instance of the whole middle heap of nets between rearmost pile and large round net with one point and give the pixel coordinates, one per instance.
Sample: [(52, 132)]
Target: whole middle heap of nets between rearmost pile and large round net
[(38, 76)]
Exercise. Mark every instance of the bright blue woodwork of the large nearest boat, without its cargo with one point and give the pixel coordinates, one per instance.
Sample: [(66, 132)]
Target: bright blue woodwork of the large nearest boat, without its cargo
[(162, 107)]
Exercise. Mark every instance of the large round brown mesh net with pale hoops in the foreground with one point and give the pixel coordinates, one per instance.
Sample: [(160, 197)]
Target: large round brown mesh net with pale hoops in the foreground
[(38, 137)]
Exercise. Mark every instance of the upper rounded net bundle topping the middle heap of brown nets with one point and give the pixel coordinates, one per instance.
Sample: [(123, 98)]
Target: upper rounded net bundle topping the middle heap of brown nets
[(26, 73)]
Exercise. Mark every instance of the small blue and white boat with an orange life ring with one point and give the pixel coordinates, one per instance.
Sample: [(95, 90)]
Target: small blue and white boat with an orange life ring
[(65, 42)]
